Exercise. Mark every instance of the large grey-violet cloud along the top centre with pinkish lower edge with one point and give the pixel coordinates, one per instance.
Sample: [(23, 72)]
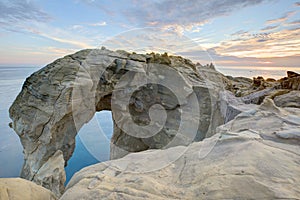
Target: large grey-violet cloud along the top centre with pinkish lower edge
[(178, 15)]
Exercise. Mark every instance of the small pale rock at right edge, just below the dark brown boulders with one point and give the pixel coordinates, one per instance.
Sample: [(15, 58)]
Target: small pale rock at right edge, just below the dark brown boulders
[(291, 99)]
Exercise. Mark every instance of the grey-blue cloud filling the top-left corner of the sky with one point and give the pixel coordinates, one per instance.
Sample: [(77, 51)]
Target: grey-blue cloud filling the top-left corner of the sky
[(16, 12)]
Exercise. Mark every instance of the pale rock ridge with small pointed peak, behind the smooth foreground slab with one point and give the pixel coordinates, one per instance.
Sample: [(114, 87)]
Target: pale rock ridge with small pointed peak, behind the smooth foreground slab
[(269, 122)]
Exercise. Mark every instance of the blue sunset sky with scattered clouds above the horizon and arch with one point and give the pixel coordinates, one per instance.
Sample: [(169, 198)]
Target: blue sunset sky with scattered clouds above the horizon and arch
[(242, 33)]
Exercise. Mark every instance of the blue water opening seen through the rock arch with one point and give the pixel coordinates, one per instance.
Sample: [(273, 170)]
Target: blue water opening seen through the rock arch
[(92, 143)]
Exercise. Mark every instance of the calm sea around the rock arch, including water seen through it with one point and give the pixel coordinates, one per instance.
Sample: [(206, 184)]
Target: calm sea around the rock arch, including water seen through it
[(93, 140)]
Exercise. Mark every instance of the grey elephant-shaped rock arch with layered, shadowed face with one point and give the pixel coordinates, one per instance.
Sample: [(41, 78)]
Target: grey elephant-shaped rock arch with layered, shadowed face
[(157, 101)]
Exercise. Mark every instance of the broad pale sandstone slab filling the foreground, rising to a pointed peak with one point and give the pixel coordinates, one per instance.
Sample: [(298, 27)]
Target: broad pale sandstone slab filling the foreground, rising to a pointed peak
[(254, 156)]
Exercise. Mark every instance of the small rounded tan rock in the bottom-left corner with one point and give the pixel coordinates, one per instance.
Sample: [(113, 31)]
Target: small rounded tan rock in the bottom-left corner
[(21, 189)]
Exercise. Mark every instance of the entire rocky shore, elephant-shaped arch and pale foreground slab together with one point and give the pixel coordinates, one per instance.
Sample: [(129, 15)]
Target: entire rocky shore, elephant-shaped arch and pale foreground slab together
[(223, 137)]
